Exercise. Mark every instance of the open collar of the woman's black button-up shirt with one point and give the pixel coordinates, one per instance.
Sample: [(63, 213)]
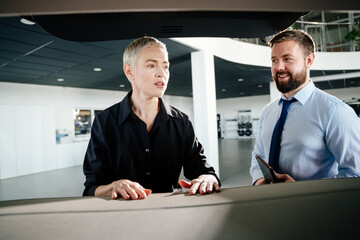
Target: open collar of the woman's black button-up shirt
[(125, 109)]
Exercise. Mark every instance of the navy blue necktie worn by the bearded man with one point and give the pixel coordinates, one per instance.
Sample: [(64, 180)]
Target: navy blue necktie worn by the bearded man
[(276, 137)]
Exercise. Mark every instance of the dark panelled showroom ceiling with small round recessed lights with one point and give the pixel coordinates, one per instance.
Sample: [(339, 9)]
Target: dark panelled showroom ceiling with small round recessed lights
[(28, 54)]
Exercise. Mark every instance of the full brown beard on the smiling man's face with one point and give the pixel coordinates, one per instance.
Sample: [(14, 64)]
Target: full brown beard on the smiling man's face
[(295, 80)]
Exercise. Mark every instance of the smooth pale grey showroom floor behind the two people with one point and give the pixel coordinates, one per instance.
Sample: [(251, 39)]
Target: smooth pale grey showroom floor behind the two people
[(234, 172)]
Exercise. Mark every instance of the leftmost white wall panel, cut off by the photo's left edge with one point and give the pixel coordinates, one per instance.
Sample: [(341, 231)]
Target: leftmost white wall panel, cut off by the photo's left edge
[(7, 142)]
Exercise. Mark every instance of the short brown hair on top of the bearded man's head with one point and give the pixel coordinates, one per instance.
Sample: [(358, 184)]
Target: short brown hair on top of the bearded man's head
[(302, 38)]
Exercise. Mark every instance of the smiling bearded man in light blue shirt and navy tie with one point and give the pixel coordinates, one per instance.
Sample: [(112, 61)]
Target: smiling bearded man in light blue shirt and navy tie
[(307, 133)]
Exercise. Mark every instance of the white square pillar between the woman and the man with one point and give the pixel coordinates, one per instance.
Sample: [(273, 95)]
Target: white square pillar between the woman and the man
[(204, 97)]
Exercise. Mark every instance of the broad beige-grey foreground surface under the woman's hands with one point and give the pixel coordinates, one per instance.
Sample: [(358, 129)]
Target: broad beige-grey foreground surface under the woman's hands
[(319, 209)]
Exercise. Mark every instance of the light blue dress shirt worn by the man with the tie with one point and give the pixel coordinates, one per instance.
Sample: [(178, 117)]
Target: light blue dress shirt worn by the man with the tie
[(321, 137)]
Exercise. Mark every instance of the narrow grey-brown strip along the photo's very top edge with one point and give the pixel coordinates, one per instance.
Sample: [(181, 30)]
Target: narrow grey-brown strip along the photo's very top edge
[(27, 7)]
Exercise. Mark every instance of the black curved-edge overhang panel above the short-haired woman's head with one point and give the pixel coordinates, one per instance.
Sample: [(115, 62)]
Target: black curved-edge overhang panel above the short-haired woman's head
[(114, 26)]
